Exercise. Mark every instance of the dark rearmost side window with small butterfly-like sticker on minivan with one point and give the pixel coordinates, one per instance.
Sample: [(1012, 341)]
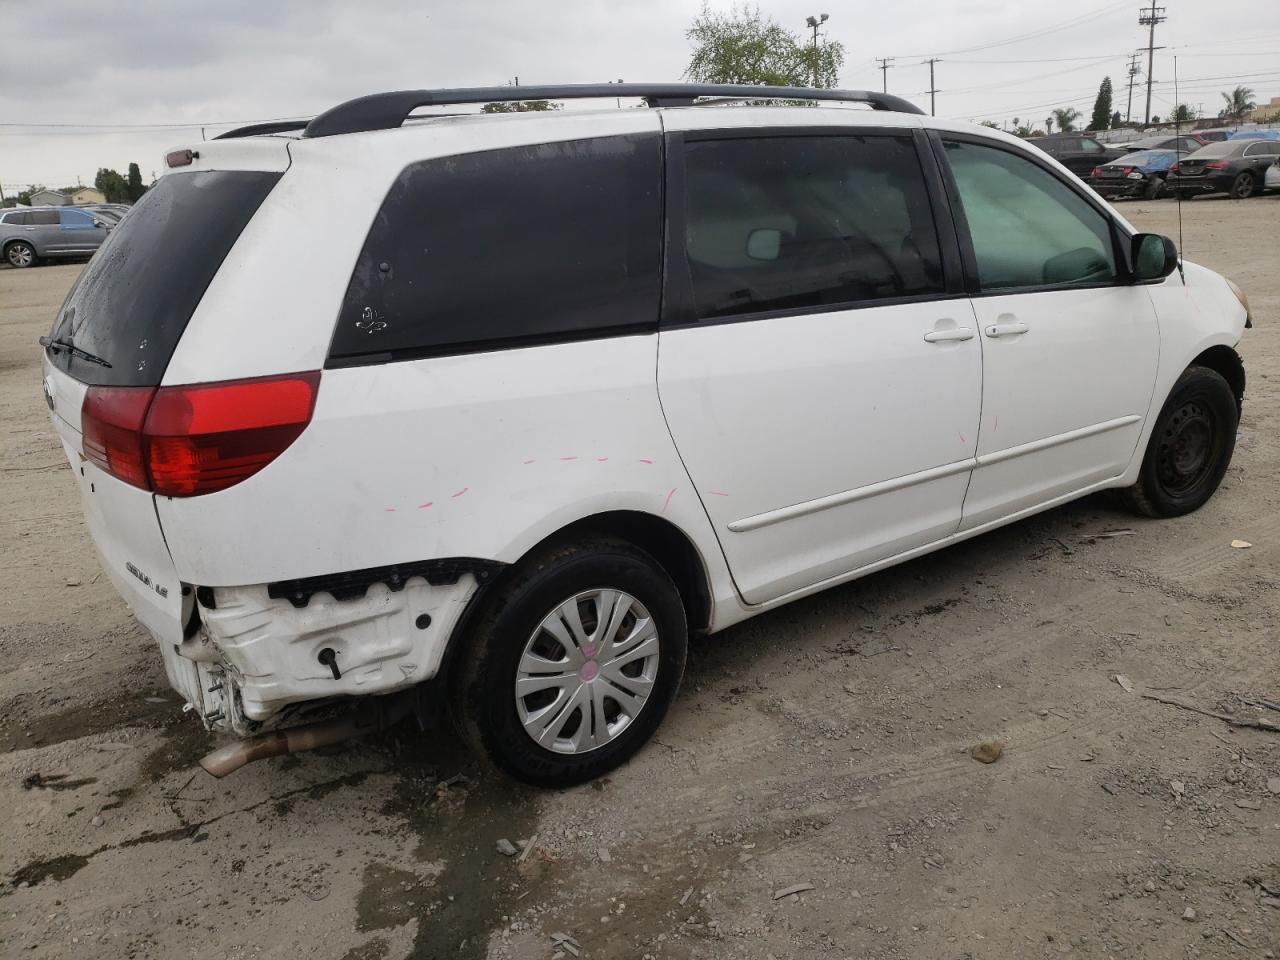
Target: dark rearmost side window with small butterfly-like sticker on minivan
[(505, 248)]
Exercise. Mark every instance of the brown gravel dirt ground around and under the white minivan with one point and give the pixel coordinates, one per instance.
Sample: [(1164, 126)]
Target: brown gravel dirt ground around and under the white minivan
[(822, 747)]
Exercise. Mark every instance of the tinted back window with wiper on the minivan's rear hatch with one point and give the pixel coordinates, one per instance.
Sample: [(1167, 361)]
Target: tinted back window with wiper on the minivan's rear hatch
[(132, 303)]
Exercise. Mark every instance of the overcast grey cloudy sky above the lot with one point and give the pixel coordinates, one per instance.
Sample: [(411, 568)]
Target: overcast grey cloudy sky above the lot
[(92, 84)]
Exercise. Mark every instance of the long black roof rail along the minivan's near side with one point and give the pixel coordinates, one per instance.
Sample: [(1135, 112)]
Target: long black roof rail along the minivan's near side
[(382, 112)]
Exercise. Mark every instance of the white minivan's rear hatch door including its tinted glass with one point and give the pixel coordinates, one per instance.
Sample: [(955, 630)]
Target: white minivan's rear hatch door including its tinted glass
[(124, 318)]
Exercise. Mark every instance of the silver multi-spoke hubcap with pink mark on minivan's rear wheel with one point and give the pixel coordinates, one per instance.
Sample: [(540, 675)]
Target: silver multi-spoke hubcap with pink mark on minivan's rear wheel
[(587, 671)]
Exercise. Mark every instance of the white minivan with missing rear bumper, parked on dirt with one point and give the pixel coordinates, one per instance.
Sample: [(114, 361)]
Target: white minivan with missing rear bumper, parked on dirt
[(497, 410)]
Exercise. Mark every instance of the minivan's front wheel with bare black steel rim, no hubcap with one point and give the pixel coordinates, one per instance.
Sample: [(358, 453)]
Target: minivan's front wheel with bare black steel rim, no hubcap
[(1191, 446)]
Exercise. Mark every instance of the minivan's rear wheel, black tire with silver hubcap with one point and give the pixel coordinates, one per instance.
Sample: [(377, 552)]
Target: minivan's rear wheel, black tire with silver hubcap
[(510, 644)]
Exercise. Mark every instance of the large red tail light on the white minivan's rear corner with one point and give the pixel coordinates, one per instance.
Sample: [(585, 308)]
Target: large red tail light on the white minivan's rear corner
[(189, 441)]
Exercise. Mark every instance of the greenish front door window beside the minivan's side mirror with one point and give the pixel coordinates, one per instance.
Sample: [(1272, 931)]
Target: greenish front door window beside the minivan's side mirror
[(1028, 228)]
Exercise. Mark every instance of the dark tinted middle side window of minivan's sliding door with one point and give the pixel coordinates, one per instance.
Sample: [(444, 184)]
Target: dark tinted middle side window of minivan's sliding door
[(784, 223)]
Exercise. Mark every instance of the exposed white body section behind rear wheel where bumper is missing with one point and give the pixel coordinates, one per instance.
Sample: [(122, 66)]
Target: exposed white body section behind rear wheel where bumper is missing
[(267, 656)]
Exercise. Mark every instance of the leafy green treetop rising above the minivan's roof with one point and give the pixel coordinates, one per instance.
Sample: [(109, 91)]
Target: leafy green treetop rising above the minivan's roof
[(743, 47)]
